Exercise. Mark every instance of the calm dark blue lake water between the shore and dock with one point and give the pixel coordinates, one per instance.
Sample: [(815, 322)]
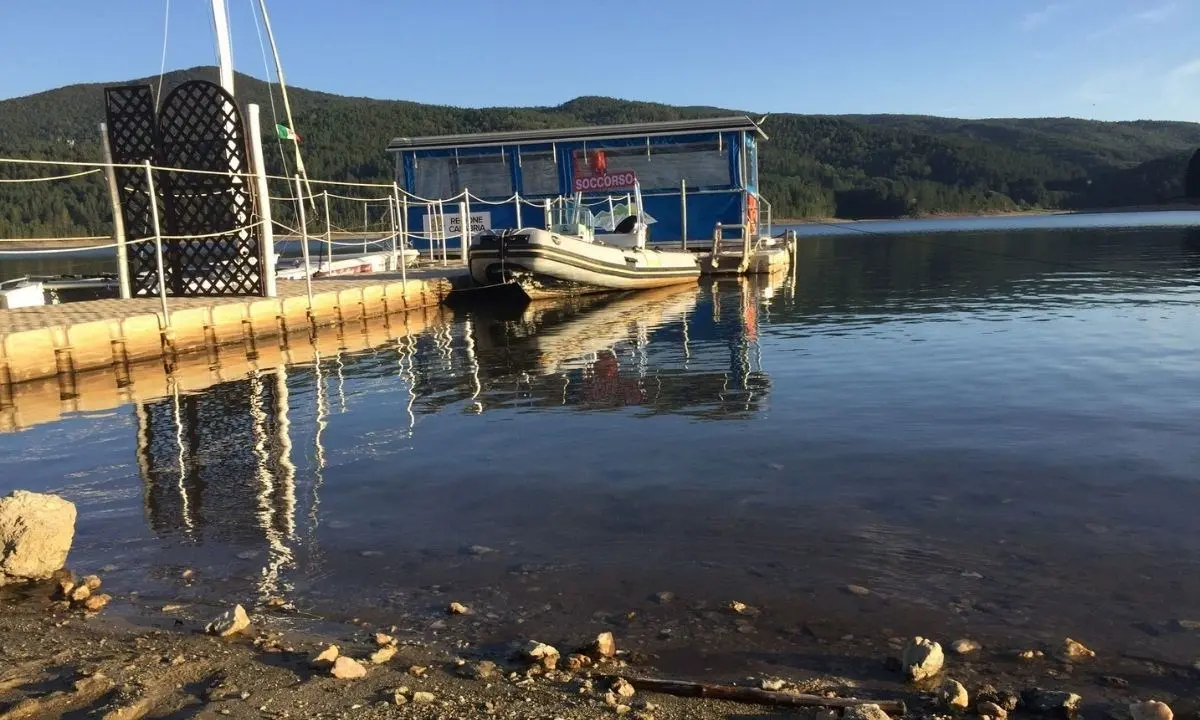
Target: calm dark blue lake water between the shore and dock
[(993, 431)]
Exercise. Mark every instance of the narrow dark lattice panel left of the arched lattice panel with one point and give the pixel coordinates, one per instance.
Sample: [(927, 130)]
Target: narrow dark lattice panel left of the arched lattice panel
[(133, 139)]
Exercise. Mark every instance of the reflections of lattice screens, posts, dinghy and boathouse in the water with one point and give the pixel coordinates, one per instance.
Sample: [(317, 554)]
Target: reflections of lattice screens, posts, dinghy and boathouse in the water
[(230, 465)]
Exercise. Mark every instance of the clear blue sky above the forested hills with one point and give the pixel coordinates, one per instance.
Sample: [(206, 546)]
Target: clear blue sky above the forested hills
[(1107, 59)]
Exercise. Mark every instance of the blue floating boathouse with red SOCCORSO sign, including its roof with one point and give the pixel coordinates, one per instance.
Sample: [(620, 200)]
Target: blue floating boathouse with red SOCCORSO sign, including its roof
[(694, 175)]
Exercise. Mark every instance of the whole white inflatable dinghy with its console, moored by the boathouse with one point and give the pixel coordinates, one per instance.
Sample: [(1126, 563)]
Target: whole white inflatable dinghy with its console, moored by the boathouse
[(572, 259)]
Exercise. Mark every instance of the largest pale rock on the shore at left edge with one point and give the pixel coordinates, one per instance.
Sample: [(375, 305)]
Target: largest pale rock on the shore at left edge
[(35, 536)]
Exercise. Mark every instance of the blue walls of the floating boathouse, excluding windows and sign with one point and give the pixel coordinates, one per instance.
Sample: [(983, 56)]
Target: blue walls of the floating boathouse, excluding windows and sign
[(707, 206)]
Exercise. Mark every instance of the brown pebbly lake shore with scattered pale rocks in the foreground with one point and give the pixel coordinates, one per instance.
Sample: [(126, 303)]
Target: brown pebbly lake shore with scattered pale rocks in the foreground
[(71, 646)]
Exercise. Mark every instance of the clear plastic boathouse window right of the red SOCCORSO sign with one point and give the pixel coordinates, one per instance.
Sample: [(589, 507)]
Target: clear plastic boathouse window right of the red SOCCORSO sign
[(701, 165)]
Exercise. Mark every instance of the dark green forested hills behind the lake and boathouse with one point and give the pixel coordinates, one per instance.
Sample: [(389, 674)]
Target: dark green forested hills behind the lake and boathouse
[(849, 166)]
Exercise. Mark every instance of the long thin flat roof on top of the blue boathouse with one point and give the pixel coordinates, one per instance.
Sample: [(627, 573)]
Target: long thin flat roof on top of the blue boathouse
[(577, 134)]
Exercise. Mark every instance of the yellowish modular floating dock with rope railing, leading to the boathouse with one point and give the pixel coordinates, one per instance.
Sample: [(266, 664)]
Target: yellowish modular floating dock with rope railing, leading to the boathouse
[(64, 340)]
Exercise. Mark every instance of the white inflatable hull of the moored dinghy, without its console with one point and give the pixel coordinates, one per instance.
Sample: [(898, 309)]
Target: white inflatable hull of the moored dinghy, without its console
[(550, 266)]
